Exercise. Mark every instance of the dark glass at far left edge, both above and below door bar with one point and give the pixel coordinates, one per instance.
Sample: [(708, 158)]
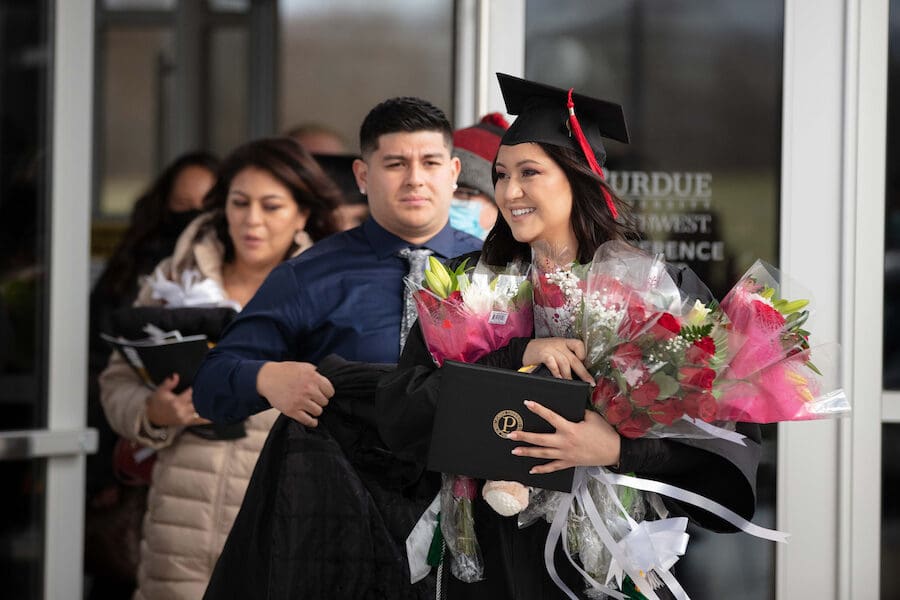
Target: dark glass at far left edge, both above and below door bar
[(25, 50)]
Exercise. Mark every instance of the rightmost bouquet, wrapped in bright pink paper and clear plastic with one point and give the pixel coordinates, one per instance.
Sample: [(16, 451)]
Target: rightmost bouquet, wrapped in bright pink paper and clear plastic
[(774, 374)]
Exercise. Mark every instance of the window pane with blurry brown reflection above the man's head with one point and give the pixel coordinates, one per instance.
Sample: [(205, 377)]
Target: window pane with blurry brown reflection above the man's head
[(316, 35)]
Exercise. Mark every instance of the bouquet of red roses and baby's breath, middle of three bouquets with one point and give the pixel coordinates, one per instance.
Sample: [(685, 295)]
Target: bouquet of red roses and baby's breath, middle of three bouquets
[(656, 353)]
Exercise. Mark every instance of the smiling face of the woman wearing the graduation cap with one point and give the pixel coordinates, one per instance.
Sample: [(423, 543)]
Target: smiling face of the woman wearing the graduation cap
[(534, 196)]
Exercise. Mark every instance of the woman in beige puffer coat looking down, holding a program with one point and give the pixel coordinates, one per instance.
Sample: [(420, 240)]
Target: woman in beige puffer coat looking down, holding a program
[(271, 202)]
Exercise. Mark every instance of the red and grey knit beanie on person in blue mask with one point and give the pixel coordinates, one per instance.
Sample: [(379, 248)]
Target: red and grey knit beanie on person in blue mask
[(476, 147)]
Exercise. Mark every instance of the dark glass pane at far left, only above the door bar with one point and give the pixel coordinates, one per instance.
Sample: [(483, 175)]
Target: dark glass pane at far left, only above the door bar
[(23, 223)]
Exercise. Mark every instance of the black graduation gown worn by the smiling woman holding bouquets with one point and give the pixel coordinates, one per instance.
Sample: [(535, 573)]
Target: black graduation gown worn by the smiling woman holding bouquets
[(513, 557)]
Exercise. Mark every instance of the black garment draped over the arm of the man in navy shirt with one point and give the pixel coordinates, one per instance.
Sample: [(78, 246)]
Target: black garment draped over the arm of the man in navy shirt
[(325, 515)]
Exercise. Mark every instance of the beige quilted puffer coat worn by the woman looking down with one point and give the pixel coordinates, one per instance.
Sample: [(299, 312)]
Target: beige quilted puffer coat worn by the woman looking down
[(198, 484)]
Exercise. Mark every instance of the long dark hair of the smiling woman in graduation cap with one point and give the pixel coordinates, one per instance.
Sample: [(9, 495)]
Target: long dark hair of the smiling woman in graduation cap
[(591, 220)]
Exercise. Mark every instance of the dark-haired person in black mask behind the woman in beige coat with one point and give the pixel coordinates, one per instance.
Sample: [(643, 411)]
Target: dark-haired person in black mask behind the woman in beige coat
[(160, 214)]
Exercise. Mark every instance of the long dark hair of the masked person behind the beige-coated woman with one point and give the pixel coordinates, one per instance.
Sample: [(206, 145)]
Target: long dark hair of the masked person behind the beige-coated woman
[(151, 220)]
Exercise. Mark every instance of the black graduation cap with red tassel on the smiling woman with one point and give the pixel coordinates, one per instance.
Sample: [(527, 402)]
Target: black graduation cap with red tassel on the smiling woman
[(543, 116)]
